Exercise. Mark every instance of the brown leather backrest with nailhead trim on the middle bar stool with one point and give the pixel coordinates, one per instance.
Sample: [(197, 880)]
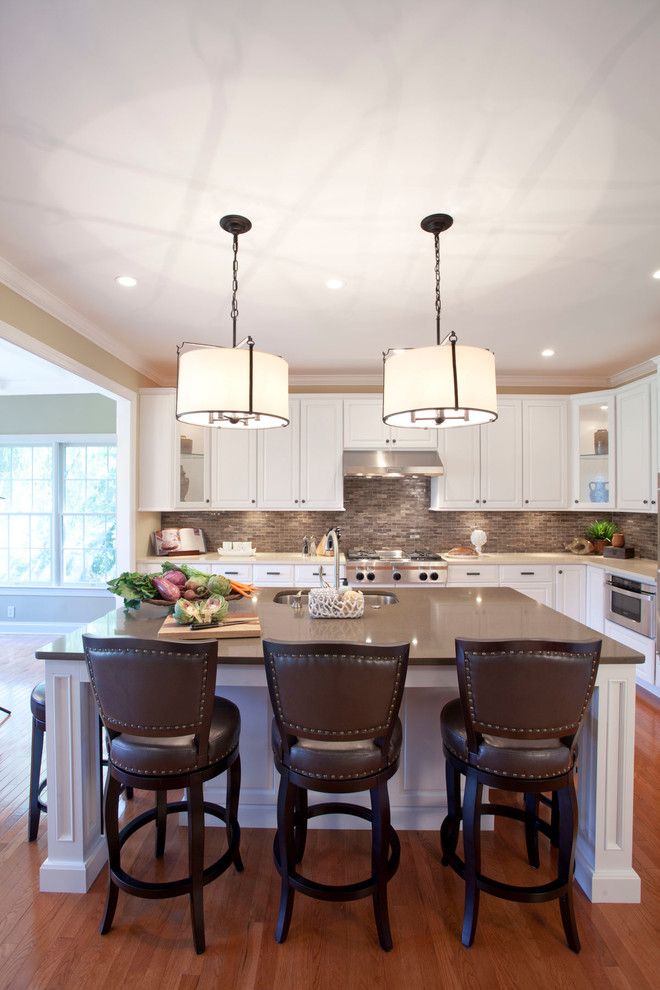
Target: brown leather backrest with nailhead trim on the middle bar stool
[(335, 691)]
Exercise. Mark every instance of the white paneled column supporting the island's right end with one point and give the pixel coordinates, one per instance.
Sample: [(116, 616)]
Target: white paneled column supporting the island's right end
[(603, 865)]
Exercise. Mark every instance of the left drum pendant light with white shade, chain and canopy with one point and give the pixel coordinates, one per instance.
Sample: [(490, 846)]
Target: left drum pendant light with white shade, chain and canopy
[(233, 387)]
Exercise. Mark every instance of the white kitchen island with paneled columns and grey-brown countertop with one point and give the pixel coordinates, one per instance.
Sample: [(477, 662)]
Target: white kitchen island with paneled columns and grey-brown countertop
[(430, 619)]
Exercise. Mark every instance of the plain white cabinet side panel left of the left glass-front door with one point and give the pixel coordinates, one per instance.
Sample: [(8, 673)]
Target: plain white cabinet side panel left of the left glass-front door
[(156, 450)]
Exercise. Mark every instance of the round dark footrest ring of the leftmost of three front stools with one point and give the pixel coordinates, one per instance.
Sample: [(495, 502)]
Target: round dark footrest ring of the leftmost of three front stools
[(174, 888)]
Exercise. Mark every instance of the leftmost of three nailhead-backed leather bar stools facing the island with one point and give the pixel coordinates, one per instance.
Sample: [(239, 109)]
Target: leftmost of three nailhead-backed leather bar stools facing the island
[(166, 730)]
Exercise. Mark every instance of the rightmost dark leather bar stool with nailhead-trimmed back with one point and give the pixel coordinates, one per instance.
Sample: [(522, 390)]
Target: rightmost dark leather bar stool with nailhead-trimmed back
[(514, 728)]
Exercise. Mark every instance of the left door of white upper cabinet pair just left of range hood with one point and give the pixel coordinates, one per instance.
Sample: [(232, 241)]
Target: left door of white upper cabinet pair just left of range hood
[(278, 475)]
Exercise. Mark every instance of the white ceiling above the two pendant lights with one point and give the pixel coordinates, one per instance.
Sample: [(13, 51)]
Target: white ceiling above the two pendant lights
[(127, 129)]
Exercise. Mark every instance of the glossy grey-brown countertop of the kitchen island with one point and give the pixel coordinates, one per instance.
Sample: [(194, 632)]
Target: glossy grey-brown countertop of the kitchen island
[(430, 619)]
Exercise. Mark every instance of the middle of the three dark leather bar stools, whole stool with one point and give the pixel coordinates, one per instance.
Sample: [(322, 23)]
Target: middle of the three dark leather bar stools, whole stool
[(336, 729)]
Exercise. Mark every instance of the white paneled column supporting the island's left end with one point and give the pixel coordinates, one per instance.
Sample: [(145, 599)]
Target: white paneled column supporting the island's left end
[(76, 847)]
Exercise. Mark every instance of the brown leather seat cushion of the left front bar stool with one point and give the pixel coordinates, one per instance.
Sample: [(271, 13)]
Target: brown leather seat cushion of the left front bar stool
[(156, 755)]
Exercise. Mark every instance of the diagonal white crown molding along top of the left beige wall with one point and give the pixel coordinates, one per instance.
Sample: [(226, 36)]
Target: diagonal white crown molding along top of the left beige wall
[(26, 287)]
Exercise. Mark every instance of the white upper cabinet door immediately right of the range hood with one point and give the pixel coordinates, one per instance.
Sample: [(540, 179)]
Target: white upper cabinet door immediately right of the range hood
[(458, 487)]
